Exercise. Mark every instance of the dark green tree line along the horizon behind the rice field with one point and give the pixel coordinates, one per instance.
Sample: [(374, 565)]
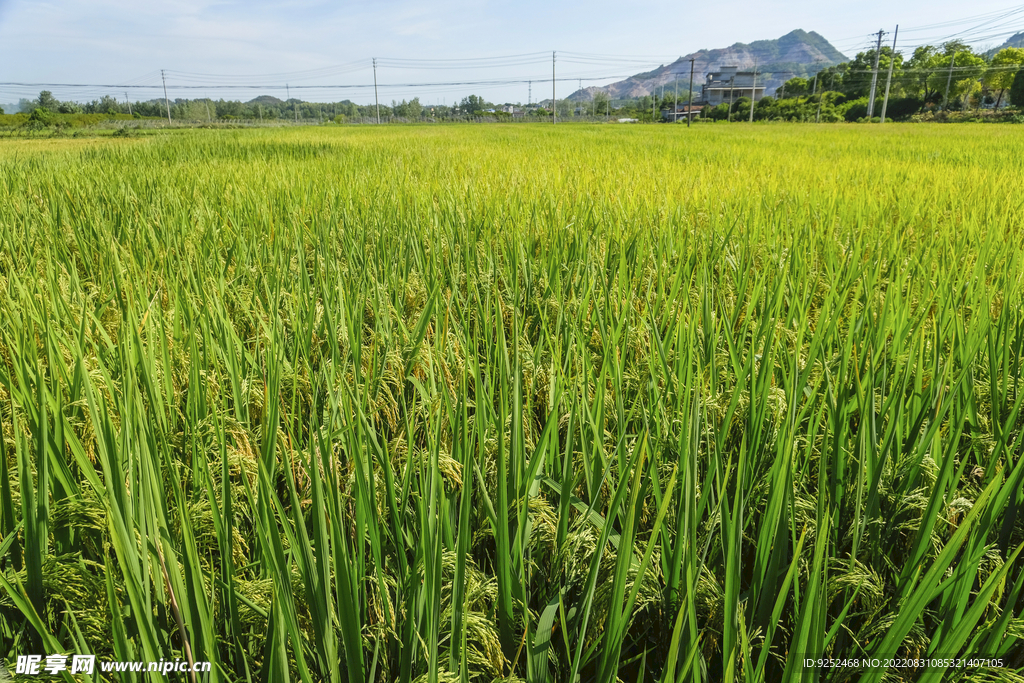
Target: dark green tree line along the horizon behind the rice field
[(951, 77)]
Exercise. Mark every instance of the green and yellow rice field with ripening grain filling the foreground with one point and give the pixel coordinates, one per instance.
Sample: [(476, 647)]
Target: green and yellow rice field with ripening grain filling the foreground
[(517, 404)]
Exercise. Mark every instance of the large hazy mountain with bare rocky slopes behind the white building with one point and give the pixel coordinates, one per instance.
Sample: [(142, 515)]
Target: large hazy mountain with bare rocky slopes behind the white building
[(796, 54)]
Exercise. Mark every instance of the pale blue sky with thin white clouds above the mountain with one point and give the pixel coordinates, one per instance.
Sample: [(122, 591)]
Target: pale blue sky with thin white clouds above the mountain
[(440, 52)]
